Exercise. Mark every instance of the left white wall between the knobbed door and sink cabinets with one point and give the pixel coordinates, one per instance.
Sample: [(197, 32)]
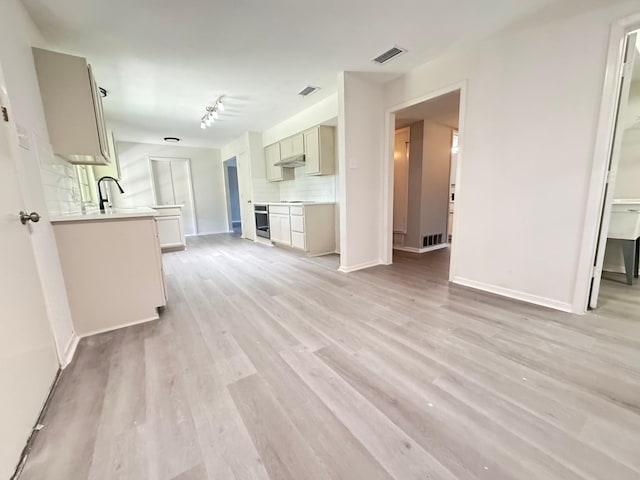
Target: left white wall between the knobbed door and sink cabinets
[(38, 166)]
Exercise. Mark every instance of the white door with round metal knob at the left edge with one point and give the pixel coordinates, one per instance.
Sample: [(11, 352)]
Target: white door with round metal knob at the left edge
[(28, 361)]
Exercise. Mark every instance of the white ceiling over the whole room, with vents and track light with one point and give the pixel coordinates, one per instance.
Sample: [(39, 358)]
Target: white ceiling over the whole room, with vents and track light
[(162, 61)]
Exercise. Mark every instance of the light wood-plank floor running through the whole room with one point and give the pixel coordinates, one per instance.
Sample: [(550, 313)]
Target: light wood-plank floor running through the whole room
[(267, 365)]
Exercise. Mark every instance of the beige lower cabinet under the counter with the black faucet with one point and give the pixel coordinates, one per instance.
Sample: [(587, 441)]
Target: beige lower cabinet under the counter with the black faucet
[(113, 271)]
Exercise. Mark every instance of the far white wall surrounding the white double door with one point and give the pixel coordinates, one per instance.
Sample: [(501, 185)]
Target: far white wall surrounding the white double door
[(206, 173)]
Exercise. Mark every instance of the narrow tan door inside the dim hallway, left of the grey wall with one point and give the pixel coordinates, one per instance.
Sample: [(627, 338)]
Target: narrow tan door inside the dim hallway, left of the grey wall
[(401, 180)]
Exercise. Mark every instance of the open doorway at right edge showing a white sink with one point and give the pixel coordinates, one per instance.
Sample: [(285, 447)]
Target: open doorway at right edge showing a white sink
[(615, 286)]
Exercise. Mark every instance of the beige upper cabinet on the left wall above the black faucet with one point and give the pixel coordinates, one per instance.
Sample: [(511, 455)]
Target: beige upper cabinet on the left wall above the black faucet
[(73, 108)]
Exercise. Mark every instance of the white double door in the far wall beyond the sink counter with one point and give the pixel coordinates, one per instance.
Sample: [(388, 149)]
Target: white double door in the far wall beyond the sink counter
[(172, 185)]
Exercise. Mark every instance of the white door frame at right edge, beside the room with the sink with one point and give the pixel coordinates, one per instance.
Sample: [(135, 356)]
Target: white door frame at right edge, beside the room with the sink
[(597, 214)]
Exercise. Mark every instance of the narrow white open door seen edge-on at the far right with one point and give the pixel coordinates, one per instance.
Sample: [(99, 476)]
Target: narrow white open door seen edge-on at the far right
[(614, 161)]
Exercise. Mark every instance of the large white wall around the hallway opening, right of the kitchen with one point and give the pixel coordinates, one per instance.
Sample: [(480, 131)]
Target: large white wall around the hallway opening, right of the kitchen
[(532, 106)]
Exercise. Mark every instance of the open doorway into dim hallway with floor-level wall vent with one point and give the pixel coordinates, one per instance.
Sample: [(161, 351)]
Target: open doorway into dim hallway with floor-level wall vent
[(424, 172)]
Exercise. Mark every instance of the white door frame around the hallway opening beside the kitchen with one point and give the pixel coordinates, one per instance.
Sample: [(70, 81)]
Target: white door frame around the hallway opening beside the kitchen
[(387, 173)]
